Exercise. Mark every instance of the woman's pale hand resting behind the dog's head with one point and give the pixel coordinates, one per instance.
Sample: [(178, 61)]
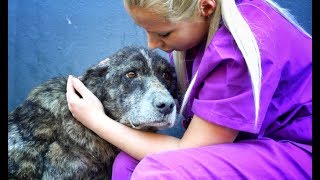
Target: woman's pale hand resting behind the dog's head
[(87, 109)]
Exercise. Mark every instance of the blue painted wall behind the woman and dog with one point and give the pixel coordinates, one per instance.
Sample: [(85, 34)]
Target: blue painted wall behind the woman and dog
[(49, 38)]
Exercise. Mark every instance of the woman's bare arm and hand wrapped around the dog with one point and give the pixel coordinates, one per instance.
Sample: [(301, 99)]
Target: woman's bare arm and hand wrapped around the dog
[(89, 111)]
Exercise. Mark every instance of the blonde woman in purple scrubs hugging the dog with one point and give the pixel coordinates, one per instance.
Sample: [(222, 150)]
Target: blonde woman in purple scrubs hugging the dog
[(245, 68)]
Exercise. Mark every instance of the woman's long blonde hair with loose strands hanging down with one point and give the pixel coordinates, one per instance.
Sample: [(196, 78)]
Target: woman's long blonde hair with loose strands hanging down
[(177, 10)]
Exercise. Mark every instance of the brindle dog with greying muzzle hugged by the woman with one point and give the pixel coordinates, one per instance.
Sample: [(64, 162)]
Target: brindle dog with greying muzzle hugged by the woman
[(136, 86)]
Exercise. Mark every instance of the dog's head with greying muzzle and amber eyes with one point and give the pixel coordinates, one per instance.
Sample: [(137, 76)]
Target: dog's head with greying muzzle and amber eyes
[(136, 86)]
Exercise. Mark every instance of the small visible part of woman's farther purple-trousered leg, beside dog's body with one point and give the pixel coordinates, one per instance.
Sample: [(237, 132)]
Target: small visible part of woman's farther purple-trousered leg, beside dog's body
[(123, 166)]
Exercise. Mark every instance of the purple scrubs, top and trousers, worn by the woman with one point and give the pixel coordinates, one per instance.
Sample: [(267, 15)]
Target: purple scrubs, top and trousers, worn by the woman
[(280, 147)]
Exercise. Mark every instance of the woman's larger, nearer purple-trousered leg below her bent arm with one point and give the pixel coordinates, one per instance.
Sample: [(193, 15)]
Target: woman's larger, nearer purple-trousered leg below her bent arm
[(250, 159)]
